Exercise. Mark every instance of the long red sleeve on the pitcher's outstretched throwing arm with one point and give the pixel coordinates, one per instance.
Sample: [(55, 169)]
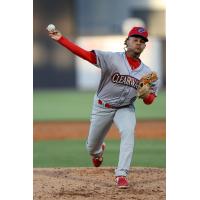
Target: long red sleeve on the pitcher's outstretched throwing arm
[(87, 55)]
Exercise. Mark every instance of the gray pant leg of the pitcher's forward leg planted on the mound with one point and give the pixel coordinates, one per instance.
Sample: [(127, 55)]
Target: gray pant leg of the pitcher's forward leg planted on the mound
[(125, 121)]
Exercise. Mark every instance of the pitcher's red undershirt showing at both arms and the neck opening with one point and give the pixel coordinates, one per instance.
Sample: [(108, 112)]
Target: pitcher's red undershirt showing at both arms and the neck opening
[(90, 56)]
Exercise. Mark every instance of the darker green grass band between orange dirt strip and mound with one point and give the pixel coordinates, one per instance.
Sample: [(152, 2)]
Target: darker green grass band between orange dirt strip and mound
[(72, 153)]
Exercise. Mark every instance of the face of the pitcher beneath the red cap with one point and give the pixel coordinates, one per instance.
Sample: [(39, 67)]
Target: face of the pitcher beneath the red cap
[(136, 44)]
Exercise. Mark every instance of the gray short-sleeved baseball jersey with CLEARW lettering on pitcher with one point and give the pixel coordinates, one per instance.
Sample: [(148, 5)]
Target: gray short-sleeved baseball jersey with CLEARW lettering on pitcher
[(119, 83)]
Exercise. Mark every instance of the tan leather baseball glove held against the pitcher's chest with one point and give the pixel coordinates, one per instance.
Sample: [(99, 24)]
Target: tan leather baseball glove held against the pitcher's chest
[(145, 84)]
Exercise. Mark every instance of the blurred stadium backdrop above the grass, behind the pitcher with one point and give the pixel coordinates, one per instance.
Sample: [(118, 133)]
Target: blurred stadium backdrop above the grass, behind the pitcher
[(92, 24)]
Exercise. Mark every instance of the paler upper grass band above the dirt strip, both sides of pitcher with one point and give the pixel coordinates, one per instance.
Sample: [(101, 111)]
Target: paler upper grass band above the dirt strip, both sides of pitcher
[(73, 105)]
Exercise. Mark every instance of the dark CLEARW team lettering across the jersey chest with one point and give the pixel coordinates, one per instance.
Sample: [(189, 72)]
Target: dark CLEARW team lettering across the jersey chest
[(125, 80)]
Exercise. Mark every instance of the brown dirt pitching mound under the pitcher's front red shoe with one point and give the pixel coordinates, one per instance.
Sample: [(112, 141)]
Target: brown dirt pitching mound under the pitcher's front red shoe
[(97, 183)]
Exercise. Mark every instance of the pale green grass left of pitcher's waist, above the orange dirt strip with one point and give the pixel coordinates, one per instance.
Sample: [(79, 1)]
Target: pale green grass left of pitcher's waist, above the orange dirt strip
[(62, 105)]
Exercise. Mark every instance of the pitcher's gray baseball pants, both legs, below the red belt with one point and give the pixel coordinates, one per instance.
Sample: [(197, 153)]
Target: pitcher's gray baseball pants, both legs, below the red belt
[(101, 121)]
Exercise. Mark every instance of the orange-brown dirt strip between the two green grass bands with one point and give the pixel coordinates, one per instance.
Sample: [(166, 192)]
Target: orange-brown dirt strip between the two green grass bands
[(154, 129)]
